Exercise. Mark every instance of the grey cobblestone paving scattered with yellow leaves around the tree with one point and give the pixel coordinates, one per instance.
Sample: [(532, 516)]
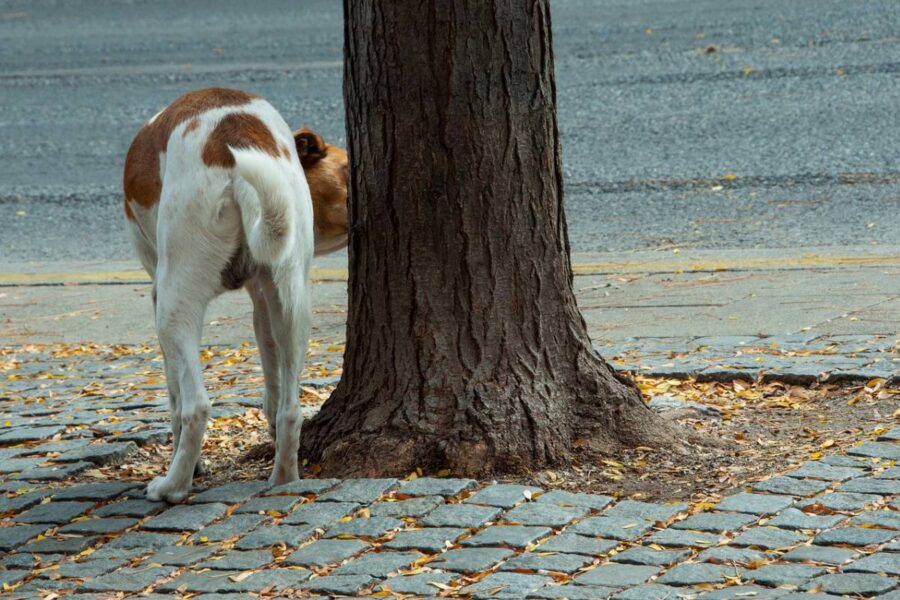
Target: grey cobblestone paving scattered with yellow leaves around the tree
[(826, 529)]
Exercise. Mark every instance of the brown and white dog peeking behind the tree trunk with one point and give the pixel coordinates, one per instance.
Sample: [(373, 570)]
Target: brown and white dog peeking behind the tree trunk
[(220, 194)]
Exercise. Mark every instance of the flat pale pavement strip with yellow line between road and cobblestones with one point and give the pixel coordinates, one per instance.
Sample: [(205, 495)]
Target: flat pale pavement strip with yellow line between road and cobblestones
[(815, 313)]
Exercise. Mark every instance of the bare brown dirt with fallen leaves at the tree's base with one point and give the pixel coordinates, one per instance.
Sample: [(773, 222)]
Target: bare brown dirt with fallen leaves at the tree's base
[(747, 432)]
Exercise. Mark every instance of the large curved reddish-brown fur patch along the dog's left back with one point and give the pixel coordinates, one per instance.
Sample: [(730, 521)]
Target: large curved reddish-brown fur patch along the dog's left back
[(141, 180)]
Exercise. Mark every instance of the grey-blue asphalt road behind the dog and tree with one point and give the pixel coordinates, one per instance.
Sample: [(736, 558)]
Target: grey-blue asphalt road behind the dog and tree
[(685, 123)]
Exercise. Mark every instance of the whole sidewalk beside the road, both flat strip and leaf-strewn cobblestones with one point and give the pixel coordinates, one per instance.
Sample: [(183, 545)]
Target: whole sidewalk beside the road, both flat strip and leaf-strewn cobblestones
[(83, 428)]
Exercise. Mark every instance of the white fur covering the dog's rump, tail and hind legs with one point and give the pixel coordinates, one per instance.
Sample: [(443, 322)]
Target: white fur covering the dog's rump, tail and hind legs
[(204, 215)]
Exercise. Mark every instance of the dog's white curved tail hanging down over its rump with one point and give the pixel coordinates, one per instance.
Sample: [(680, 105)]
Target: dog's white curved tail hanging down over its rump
[(264, 196)]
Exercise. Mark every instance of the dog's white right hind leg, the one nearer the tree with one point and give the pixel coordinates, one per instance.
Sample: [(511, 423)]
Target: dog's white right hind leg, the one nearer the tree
[(286, 291)]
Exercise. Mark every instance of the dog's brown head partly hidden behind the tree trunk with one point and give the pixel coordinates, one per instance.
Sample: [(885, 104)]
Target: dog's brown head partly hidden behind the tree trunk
[(328, 175)]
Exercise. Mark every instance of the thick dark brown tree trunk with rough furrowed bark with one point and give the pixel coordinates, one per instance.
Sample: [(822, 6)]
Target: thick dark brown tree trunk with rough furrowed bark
[(465, 348)]
